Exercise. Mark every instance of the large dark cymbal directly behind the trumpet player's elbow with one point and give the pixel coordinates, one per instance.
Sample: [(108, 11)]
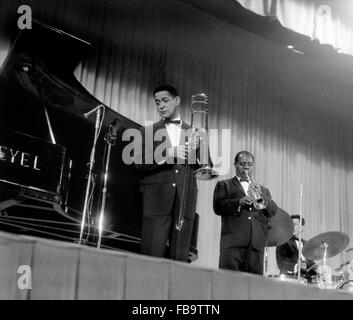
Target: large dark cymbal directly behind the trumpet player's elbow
[(280, 229)]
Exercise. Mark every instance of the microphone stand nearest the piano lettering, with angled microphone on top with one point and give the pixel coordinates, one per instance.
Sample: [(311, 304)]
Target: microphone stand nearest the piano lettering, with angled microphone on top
[(91, 164)]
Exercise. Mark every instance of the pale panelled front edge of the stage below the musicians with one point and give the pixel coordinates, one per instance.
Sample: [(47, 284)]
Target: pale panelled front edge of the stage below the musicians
[(35, 268)]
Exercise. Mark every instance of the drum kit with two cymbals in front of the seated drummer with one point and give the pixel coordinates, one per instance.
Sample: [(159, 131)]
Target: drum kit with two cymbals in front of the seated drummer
[(318, 248)]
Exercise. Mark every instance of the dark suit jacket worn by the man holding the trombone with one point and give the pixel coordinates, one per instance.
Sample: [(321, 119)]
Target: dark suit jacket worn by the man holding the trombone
[(160, 183)]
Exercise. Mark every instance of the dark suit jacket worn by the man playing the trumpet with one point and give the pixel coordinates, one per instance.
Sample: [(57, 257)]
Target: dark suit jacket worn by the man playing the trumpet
[(241, 225)]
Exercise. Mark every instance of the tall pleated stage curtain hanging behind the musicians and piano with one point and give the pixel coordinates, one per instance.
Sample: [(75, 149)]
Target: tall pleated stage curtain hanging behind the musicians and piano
[(293, 112)]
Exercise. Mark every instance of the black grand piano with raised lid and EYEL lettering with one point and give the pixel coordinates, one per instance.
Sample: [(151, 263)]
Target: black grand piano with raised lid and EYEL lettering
[(45, 146)]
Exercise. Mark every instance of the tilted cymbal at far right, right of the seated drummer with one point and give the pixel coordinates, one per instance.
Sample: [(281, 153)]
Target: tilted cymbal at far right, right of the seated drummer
[(336, 242)]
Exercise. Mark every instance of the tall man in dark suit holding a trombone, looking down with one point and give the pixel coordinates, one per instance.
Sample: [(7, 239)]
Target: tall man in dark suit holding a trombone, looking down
[(167, 181)]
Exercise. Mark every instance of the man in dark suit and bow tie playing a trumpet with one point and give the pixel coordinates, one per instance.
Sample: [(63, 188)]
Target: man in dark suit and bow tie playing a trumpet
[(245, 207)]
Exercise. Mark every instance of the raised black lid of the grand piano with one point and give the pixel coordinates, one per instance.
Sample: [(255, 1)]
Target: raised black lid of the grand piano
[(42, 61)]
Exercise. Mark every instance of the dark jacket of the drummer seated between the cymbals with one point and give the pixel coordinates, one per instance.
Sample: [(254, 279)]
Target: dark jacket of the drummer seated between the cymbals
[(287, 256)]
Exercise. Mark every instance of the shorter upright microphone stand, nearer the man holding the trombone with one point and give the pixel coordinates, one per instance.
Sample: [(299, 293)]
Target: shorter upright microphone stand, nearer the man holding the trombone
[(110, 139)]
